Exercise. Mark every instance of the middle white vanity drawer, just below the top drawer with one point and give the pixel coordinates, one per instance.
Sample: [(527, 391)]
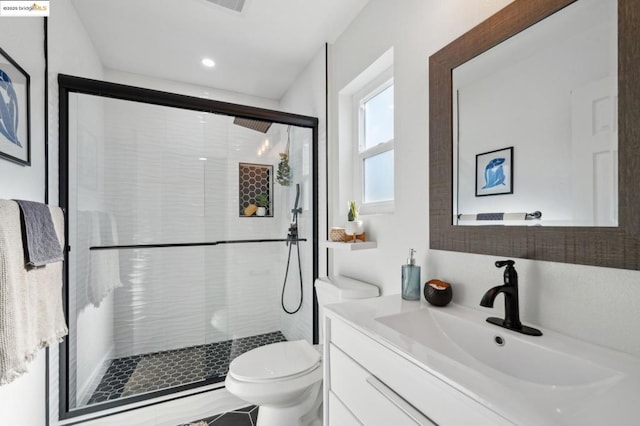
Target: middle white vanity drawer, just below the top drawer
[(370, 400)]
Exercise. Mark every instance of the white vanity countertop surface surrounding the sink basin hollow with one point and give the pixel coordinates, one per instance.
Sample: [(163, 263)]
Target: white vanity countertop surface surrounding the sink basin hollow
[(611, 401)]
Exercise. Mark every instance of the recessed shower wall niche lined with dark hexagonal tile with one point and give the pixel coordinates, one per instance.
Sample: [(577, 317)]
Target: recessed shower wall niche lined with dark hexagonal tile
[(255, 180)]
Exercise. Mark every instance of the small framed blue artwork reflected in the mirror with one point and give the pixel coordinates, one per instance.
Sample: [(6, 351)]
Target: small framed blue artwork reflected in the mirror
[(494, 172)]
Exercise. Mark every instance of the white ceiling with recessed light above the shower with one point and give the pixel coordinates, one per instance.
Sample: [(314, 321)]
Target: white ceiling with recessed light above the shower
[(259, 51)]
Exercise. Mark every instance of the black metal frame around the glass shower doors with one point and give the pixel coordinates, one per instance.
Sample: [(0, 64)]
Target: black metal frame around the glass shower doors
[(68, 84)]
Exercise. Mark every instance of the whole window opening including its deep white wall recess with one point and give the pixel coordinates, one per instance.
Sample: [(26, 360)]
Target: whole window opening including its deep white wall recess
[(365, 141)]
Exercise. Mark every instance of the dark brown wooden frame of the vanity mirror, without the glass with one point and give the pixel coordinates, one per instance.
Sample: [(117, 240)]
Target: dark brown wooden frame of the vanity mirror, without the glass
[(617, 246)]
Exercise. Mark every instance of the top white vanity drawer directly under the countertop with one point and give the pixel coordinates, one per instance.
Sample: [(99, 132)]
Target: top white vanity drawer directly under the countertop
[(440, 402)]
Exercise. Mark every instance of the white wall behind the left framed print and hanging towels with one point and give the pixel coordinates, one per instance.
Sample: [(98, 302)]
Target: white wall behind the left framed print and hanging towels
[(23, 400)]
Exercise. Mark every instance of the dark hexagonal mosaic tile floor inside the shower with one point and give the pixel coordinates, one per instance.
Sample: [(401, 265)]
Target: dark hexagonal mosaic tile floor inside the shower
[(139, 374)]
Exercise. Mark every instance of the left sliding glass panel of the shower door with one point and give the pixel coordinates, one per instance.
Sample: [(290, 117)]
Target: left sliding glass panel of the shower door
[(139, 179)]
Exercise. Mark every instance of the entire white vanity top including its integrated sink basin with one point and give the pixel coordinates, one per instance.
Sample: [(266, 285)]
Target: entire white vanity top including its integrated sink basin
[(553, 379)]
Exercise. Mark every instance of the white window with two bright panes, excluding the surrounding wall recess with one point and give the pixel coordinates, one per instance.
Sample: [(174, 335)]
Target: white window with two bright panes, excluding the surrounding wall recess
[(375, 146)]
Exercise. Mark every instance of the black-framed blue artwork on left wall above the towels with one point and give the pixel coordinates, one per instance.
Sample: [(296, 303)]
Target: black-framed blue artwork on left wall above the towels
[(15, 144)]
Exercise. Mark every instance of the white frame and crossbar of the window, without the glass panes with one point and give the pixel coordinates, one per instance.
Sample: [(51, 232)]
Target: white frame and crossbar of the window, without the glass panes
[(375, 87)]
